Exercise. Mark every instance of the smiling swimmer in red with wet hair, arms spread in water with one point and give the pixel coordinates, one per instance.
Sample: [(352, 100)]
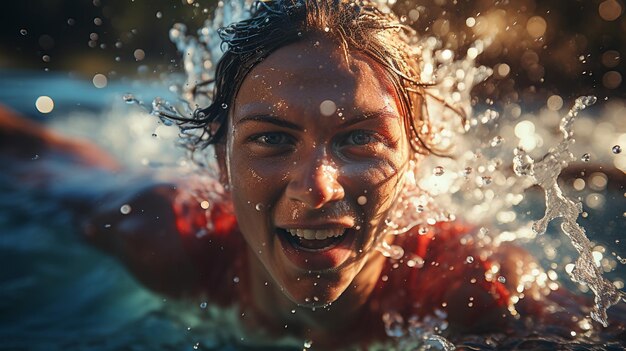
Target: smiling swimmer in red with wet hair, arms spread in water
[(317, 114)]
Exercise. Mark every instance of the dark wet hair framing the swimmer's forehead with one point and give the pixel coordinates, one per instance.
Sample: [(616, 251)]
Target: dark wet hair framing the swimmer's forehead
[(356, 24)]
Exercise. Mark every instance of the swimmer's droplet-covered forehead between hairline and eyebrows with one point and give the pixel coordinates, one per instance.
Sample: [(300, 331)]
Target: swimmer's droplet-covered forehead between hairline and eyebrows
[(301, 76)]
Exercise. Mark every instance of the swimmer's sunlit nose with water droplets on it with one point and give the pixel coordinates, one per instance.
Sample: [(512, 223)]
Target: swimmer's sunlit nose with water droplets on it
[(315, 183)]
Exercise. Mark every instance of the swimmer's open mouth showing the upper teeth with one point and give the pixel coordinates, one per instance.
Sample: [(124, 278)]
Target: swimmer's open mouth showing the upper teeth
[(316, 249)]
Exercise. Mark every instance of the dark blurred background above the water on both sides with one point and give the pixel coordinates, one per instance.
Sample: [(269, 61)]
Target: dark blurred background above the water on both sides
[(541, 48)]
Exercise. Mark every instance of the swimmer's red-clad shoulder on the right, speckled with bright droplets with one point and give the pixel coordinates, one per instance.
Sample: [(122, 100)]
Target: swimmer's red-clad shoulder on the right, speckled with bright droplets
[(474, 283)]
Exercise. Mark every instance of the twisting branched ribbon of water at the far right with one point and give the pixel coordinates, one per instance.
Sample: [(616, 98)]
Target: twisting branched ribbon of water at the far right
[(544, 173)]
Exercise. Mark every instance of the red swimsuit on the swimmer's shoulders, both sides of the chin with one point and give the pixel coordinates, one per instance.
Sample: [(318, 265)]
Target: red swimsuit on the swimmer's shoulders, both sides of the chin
[(436, 265)]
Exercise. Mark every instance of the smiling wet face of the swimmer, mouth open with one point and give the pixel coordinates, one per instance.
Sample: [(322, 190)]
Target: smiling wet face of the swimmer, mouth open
[(315, 152)]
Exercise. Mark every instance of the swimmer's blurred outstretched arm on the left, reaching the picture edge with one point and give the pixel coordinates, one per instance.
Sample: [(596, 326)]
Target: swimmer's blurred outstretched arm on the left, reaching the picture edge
[(151, 239)]
